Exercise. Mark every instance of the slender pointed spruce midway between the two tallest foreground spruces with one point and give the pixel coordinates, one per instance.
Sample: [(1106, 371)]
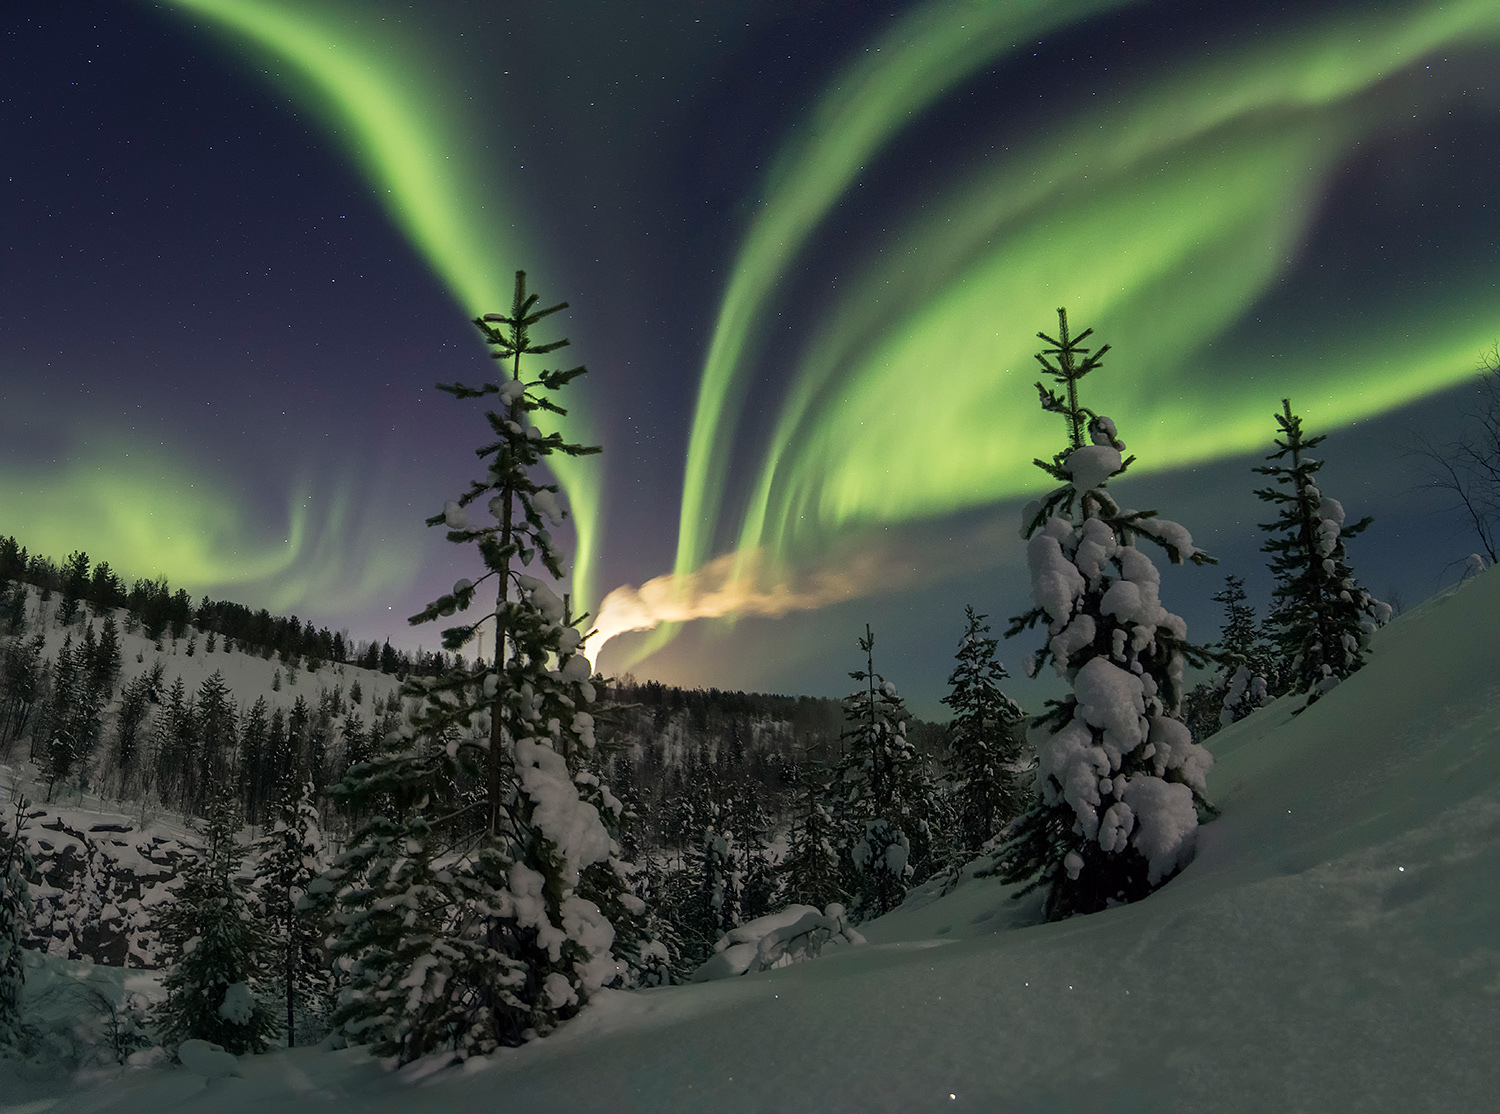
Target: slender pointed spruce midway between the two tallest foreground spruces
[(884, 795)]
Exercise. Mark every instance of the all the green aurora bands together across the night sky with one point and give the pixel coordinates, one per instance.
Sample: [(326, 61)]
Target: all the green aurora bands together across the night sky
[(1160, 220)]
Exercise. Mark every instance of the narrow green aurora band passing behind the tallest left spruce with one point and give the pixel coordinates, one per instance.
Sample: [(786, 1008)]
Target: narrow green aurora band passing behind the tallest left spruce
[(418, 148)]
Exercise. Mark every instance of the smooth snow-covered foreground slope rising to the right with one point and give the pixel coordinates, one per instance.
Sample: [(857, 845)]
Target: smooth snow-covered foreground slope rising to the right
[(1336, 947)]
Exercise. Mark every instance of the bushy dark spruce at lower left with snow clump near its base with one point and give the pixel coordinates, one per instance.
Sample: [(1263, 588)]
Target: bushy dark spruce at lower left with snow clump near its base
[(218, 950)]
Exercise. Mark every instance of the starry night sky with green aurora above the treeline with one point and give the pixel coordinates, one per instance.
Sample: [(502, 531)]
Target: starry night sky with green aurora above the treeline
[(808, 248)]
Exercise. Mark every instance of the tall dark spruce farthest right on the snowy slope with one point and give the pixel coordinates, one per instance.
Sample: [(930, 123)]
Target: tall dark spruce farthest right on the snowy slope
[(1321, 618)]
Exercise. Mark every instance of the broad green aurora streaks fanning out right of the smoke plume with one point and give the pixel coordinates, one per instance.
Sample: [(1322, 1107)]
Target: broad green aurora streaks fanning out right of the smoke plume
[(1159, 221)]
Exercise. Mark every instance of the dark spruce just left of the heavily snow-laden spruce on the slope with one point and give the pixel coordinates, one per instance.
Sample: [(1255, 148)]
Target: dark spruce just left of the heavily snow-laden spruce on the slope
[(986, 741)]
